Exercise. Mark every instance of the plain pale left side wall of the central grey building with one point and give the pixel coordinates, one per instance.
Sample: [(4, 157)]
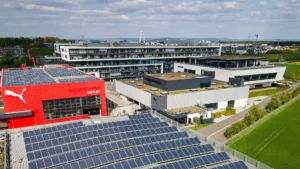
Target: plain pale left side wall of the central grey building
[(134, 93)]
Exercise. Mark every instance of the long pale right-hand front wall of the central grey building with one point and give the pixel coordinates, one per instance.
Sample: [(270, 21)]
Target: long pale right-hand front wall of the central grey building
[(206, 97)]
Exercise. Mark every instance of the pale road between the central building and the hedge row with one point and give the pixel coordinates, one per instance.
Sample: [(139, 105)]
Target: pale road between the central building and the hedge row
[(216, 131)]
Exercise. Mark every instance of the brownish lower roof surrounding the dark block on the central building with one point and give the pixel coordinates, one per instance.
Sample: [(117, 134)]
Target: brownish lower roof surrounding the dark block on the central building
[(215, 85)]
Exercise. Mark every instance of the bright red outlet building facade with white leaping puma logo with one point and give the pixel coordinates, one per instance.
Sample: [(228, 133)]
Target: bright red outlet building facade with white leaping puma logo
[(64, 98)]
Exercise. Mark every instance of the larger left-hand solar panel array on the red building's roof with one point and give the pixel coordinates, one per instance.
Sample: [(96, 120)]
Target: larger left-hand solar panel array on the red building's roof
[(26, 77)]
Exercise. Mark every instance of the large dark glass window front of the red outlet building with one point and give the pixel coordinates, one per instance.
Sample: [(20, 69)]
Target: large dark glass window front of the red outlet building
[(70, 107)]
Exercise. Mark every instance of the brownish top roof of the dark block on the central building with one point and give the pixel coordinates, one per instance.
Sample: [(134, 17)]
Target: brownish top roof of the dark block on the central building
[(174, 76)]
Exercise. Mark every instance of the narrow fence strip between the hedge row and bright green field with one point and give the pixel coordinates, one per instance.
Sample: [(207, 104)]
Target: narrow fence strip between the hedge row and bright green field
[(262, 119)]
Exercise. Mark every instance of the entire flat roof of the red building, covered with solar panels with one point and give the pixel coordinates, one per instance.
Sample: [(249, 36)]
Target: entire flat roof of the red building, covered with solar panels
[(41, 76)]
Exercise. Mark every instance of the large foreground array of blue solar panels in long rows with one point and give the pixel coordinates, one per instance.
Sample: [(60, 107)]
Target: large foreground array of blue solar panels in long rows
[(142, 141)]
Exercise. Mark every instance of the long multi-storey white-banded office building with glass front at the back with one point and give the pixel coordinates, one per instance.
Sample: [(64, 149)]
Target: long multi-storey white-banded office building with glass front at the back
[(130, 60)]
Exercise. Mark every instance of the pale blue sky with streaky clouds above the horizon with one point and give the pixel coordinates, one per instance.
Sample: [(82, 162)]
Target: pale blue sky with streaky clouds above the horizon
[(157, 18)]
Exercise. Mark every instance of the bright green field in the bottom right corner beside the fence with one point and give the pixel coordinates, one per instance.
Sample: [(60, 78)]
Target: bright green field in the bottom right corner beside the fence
[(276, 141)]
